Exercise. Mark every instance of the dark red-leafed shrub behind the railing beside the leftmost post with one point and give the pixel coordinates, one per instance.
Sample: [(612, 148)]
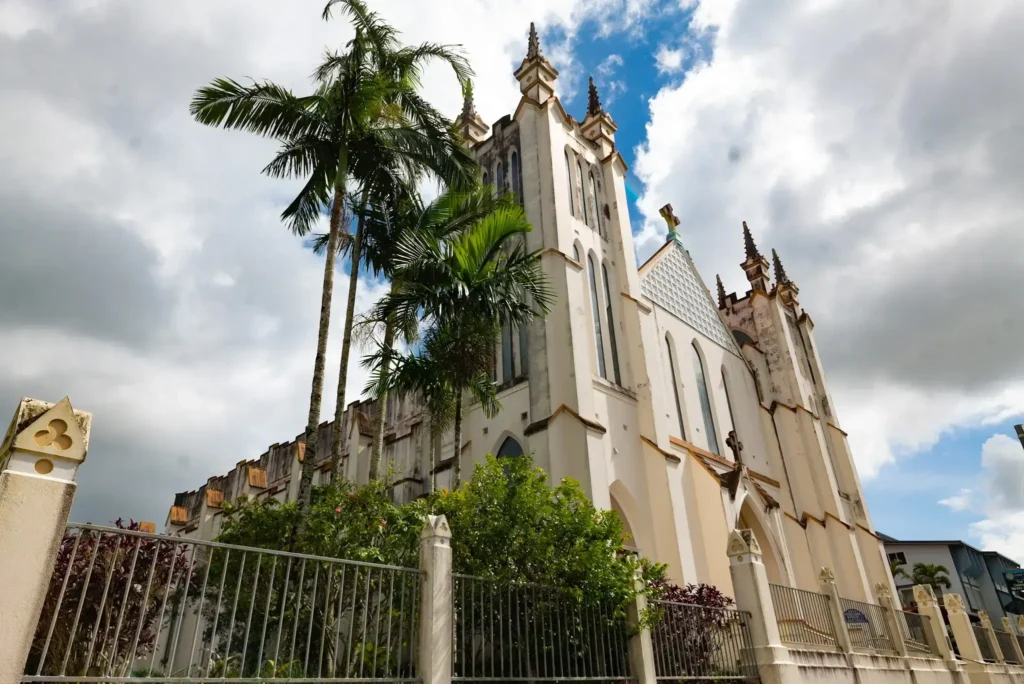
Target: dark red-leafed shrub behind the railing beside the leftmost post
[(107, 596)]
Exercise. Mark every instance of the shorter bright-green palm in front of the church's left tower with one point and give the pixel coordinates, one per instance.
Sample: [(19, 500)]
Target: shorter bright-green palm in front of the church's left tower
[(467, 272)]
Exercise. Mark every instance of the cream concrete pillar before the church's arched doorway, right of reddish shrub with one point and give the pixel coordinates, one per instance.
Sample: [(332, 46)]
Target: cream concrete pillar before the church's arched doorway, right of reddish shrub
[(750, 583)]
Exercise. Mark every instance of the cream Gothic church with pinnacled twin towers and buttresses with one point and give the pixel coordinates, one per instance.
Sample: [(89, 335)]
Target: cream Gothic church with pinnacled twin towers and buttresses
[(689, 417)]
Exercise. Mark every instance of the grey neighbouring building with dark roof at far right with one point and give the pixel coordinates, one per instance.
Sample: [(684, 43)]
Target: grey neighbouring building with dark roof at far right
[(977, 576)]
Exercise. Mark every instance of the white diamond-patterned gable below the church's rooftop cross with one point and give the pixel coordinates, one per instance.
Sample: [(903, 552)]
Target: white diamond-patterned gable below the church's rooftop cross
[(673, 284)]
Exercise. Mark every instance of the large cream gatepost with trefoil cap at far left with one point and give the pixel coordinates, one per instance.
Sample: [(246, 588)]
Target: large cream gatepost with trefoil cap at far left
[(39, 458)]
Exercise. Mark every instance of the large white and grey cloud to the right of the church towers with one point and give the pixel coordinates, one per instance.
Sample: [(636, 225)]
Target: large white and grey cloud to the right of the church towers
[(887, 175)]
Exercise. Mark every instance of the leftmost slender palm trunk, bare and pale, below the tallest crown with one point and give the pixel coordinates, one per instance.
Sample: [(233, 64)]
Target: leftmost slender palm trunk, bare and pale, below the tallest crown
[(316, 396)]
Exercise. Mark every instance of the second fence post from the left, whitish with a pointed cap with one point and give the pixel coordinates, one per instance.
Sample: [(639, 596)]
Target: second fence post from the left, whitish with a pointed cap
[(436, 604)]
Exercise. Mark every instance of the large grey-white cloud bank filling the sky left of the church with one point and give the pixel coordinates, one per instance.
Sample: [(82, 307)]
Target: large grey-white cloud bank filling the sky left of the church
[(147, 274)]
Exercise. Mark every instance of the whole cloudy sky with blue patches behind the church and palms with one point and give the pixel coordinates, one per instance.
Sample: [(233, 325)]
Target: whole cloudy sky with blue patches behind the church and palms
[(878, 146)]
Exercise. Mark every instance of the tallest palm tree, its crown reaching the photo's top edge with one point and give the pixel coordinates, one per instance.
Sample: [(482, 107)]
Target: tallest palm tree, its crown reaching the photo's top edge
[(364, 114)]
